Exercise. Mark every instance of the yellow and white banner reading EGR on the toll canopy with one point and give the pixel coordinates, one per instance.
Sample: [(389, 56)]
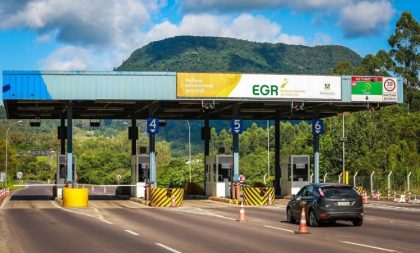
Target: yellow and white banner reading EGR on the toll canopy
[(257, 86)]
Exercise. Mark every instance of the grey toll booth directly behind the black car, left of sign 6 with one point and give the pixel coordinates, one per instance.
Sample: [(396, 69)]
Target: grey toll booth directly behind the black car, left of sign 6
[(296, 175)]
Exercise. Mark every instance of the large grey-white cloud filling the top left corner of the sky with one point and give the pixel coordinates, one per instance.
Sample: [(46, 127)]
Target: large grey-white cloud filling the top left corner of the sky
[(94, 22)]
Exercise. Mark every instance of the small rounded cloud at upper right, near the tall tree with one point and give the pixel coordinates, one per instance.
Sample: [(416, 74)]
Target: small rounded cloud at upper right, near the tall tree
[(365, 18)]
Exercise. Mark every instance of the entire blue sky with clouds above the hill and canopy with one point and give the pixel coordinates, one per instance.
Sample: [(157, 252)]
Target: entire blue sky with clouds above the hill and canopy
[(101, 34)]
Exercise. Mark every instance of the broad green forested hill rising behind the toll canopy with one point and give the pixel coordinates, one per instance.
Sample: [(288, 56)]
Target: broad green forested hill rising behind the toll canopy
[(215, 54)]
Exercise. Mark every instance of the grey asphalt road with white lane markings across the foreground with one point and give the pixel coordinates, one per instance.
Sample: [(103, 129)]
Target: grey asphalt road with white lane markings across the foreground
[(41, 225)]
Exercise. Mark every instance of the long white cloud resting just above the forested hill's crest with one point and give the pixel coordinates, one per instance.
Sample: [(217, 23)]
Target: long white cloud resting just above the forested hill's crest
[(245, 26)]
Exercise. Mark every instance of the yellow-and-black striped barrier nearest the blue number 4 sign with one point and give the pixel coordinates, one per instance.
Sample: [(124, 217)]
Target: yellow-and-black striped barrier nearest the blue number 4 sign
[(162, 197)]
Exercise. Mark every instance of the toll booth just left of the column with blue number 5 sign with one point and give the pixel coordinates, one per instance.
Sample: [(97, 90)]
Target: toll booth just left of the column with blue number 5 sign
[(219, 174)]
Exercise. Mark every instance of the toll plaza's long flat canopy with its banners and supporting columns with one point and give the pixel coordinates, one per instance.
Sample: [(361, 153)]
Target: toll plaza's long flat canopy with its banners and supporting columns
[(159, 96)]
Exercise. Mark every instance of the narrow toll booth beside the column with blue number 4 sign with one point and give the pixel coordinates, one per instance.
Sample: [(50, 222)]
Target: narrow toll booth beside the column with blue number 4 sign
[(140, 175)]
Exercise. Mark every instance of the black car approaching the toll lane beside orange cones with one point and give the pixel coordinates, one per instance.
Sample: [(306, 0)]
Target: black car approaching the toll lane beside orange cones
[(326, 203)]
